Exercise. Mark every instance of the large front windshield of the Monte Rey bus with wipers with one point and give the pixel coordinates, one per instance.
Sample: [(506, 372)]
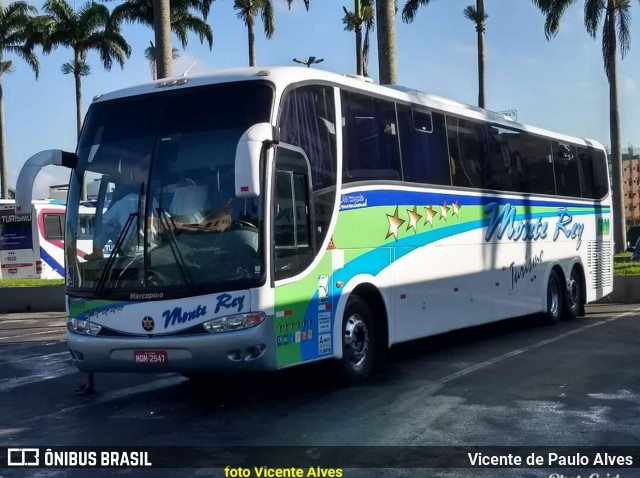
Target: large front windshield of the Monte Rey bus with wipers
[(160, 169)]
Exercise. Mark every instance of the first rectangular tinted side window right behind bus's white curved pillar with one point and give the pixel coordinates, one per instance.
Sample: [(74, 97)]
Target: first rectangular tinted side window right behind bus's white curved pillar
[(370, 131)]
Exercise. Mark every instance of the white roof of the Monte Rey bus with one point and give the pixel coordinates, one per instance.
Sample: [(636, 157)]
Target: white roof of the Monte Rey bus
[(282, 76)]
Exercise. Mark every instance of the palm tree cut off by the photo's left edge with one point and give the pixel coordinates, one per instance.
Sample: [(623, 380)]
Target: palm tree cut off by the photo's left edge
[(16, 21)]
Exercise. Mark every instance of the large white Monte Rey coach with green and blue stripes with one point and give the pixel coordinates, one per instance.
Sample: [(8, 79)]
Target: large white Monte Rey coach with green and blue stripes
[(274, 217)]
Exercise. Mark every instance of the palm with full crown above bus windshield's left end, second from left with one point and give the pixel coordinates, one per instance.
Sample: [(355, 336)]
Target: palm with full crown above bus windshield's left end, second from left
[(90, 28)]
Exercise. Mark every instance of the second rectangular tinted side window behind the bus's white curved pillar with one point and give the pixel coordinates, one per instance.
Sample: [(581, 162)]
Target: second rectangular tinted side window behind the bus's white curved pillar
[(423, 143)]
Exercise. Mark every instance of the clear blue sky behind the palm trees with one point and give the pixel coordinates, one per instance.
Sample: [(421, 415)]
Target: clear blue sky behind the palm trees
[(558, 84)]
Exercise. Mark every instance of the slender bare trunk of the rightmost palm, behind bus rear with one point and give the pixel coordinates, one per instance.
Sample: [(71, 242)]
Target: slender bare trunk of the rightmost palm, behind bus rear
[(619, 226)]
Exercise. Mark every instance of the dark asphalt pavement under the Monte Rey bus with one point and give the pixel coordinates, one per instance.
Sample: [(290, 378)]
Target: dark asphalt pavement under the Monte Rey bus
[(512, 383)]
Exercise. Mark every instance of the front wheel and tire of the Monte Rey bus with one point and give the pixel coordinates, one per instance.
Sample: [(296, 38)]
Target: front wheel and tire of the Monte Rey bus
[(358, 342)]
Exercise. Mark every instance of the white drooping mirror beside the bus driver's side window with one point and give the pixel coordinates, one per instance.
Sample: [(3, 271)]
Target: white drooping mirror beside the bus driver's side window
[(248, 154)]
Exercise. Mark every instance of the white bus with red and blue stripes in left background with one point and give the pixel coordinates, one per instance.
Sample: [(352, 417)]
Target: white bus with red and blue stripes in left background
[(32, 246)]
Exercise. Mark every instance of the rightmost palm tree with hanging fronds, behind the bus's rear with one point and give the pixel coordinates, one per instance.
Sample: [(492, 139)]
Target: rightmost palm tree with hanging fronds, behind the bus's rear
[(616, 26)]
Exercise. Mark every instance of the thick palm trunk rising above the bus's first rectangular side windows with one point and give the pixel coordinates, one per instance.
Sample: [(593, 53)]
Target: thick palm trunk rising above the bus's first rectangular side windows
[(386, 19)]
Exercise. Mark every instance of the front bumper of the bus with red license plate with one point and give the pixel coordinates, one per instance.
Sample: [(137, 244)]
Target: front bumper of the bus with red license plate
[(242, 350)]
